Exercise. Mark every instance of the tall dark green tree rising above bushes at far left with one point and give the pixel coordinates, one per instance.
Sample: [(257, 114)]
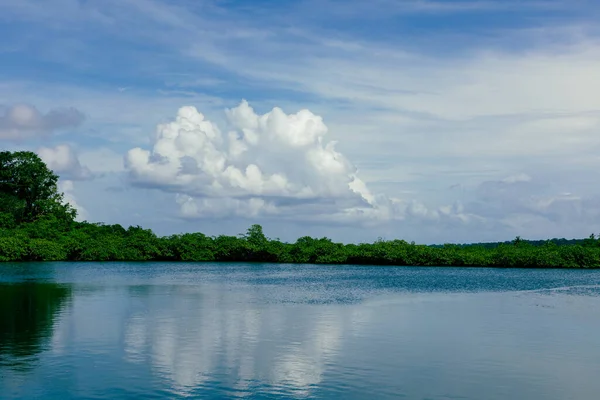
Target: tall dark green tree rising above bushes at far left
[(28, 189)]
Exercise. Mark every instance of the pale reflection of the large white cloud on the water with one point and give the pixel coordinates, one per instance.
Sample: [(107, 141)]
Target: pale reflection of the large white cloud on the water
[(196, 334)]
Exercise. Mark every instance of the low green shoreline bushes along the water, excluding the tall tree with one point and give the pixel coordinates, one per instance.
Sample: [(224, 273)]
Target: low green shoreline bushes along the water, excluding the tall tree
[(49, 239)]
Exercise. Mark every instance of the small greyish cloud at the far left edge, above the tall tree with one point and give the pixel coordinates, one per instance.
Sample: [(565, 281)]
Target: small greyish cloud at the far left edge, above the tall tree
[(22, 121)]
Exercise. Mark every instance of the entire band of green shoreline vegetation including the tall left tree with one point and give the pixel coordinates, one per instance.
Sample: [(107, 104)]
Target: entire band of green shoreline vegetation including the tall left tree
[(36, 225)]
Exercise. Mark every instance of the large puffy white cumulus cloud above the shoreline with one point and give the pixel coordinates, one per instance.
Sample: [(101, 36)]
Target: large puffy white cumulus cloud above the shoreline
[(271, 164)]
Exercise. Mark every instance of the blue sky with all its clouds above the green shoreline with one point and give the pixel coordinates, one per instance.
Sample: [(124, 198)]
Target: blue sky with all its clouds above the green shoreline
[(429, 121)]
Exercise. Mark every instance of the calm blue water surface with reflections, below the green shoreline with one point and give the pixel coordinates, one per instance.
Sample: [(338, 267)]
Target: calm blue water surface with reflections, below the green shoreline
[(152, 330)]
